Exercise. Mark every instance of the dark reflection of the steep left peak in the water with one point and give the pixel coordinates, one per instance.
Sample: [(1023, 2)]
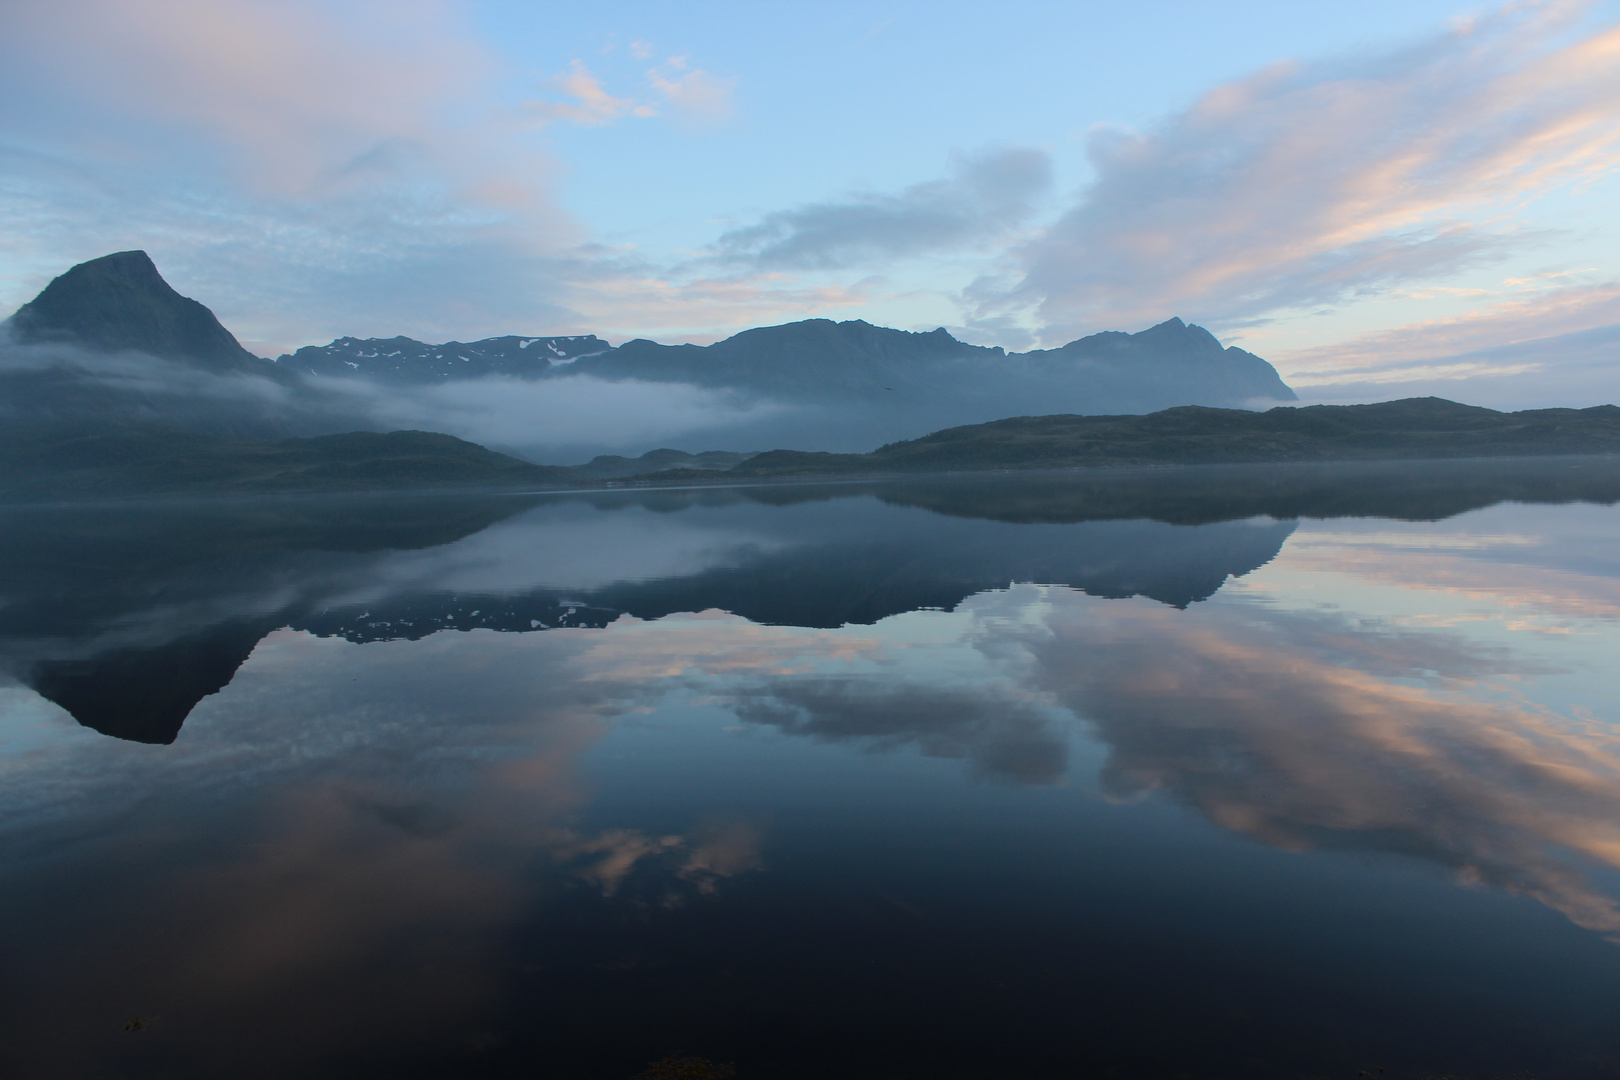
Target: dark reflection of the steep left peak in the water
[(130, 616)]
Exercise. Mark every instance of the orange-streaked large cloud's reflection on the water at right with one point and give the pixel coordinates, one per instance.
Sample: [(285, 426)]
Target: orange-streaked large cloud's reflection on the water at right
[(1271, 729)]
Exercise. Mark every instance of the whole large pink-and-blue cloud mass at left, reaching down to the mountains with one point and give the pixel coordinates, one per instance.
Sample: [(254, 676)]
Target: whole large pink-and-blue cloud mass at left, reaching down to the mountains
[(304, 169)]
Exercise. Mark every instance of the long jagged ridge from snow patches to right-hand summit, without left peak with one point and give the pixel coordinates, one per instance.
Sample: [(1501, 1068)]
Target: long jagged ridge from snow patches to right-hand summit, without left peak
[(897, 376)]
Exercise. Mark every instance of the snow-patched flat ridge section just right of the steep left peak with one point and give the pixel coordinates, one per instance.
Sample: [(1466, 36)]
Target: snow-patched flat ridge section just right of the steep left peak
[(406, 360)]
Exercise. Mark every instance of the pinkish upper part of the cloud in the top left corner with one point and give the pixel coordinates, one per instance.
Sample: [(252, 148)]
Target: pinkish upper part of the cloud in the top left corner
[(294, 96)]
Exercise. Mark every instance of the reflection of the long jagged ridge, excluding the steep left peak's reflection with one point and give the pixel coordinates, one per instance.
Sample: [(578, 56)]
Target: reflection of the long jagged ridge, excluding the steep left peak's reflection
[(910, 566)]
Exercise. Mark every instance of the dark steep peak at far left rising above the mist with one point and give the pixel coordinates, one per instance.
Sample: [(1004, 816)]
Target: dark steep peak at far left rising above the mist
[(121, 302)]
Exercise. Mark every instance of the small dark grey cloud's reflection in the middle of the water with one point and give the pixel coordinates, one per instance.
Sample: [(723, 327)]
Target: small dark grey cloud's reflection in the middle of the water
[(1002, 734)]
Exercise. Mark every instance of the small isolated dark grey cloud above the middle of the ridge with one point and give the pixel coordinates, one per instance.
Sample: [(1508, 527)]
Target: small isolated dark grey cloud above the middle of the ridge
[(983, 200)]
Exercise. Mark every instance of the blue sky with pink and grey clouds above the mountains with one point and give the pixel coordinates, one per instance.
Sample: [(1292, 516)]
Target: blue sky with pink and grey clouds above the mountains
[(1383, 198)]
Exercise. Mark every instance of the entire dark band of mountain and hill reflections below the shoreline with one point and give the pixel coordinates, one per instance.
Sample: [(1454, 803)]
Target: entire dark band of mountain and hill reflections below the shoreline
[(130, 616)]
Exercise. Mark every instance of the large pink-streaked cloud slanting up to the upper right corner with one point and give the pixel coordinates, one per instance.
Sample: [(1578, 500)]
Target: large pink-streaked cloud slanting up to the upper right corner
[(1319, 184)]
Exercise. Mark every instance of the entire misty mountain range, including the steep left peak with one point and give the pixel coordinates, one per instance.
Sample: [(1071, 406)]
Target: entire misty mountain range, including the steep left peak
[(111, 341)]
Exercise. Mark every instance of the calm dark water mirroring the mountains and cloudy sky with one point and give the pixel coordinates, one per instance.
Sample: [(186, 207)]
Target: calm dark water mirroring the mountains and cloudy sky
[(1208, 773)]
